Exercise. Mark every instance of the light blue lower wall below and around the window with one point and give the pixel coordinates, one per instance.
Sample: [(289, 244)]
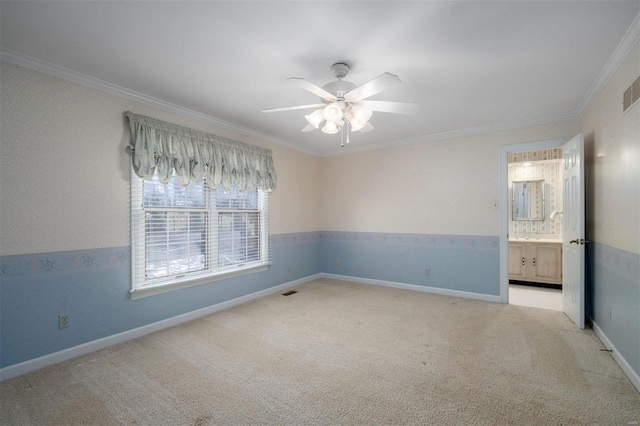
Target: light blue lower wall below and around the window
[(92, 287)]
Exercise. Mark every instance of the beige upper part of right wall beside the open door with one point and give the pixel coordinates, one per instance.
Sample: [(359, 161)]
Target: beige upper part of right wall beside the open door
[(612, 148)]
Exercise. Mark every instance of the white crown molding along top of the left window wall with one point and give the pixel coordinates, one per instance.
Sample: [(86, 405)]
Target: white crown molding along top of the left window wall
[(86, 80)]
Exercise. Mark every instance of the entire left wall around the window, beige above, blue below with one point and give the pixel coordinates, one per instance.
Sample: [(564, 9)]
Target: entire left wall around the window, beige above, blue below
[(64, 223)]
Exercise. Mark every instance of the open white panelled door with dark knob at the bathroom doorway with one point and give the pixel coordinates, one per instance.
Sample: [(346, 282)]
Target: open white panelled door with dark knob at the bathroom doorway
[(573, 242)]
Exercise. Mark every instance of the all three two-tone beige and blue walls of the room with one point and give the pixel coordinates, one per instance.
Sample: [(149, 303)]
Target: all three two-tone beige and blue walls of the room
[(387, 214)]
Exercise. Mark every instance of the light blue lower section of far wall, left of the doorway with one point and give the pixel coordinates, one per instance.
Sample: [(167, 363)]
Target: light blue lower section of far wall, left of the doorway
[(455, 262)]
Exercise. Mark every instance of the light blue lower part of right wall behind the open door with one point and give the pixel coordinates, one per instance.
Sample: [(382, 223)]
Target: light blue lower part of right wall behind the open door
[(613, 282)]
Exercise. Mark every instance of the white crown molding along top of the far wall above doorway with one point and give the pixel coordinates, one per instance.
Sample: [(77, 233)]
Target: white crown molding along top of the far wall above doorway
[(572, 116)]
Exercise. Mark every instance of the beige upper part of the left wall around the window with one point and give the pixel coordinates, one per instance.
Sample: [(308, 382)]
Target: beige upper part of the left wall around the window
[(65, 176)]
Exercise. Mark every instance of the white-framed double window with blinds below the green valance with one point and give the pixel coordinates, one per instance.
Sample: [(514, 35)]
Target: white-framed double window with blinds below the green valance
[(187, 235)]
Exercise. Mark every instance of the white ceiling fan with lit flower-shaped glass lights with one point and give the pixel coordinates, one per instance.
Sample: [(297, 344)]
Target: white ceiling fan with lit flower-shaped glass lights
[(344, 106)]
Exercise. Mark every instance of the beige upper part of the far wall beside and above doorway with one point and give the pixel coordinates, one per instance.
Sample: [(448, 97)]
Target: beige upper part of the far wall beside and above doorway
[(440, 187)]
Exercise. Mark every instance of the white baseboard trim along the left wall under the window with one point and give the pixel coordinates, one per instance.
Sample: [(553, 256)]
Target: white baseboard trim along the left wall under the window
[(85, 348)]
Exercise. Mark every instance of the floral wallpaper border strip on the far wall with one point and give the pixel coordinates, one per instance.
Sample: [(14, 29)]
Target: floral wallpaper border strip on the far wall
[(415, 240)]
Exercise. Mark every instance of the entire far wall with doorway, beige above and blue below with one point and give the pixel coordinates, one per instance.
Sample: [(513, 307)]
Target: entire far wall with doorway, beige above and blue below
[(390, 214)]
